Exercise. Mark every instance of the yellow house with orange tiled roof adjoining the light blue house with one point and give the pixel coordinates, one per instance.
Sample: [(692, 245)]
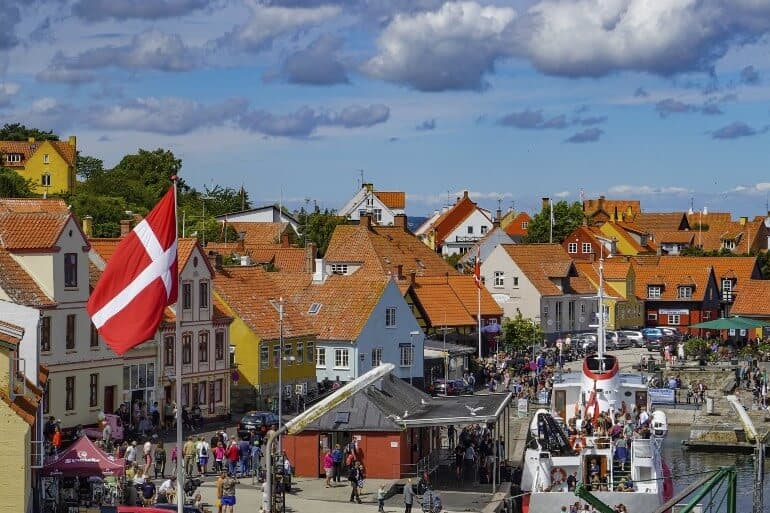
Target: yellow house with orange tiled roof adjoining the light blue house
[(252, 299)]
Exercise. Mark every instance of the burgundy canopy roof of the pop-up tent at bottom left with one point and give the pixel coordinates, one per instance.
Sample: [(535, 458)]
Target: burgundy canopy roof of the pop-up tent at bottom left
[(84, 459)]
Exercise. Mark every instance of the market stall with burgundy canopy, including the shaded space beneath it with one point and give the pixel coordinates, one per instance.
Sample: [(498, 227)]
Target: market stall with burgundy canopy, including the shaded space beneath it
[(81, 476)]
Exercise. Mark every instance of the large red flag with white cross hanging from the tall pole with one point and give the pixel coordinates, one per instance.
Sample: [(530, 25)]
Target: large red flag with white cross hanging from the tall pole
[(139, 281)]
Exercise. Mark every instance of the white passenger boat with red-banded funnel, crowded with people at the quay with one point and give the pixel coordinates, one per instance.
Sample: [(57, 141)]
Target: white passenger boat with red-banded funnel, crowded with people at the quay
[(552, 456)]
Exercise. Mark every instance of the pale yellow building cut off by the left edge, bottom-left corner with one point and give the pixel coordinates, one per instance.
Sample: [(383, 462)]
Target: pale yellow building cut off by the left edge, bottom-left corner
[(19, 401)]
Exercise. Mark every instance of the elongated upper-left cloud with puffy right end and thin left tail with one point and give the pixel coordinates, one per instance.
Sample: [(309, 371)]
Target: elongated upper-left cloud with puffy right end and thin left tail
[(150, 49)]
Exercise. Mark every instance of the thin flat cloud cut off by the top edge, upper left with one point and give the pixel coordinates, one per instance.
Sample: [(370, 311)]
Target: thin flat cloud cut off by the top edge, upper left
[(98, 10)]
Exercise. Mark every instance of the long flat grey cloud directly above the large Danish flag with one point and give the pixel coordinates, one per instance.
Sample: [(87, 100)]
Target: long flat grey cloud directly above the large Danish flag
[(169, 116)]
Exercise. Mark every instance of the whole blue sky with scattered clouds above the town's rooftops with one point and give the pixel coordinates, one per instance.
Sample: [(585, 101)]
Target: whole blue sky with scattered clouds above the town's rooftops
[(518, 99)]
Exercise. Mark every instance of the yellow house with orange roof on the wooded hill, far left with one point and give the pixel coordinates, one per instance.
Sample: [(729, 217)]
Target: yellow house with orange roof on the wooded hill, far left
[(51, 166)]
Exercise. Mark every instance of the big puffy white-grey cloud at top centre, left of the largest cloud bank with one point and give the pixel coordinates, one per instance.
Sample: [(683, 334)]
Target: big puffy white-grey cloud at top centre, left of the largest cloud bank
[(450, 48)]
